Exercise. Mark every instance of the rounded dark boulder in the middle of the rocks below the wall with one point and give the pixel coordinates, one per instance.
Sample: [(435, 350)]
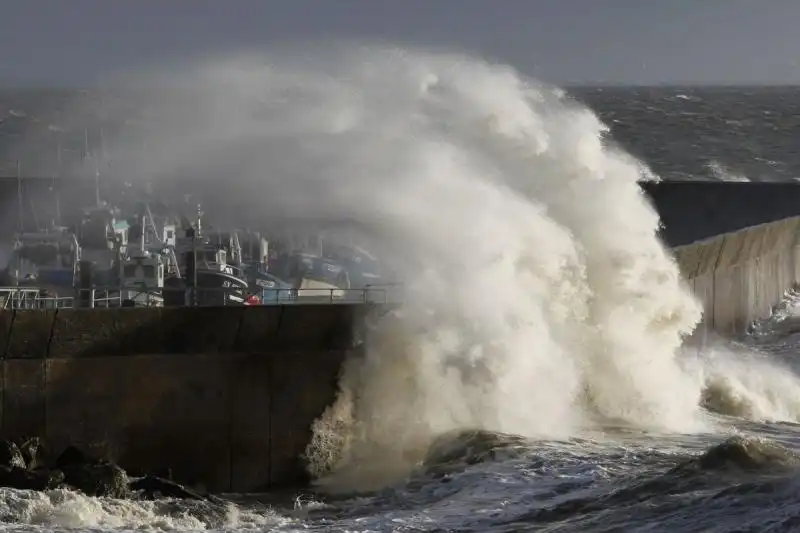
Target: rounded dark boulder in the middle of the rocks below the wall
[(91, 476)]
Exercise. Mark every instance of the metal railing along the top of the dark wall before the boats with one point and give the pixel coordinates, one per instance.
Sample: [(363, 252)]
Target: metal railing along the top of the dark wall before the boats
[(115, 297)]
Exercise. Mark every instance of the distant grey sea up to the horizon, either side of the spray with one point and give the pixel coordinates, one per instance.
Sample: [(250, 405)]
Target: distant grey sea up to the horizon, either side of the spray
[(680, 132)]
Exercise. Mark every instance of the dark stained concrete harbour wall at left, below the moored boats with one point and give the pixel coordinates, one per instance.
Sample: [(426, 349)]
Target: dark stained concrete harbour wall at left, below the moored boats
[(225, 397)]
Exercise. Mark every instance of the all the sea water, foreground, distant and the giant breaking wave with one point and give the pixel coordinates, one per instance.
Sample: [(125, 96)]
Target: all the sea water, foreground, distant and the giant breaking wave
[(536, 379)]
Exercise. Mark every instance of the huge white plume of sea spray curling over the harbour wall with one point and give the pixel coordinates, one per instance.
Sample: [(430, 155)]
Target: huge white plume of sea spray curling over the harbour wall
[(537, 295)]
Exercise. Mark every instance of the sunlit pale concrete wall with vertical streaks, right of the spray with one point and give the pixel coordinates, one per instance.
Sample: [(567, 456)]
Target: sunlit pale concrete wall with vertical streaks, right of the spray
[(740, 276)]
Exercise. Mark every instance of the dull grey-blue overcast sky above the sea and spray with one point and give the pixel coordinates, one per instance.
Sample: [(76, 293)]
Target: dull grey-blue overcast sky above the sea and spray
[(73, 42)]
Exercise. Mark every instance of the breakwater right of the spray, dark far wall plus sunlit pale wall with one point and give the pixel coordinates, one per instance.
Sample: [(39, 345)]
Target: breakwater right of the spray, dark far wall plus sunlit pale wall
[(736, 245)]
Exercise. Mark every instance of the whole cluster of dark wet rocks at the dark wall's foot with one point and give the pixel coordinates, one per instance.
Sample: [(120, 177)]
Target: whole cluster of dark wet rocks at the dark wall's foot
[(22, 466)]
